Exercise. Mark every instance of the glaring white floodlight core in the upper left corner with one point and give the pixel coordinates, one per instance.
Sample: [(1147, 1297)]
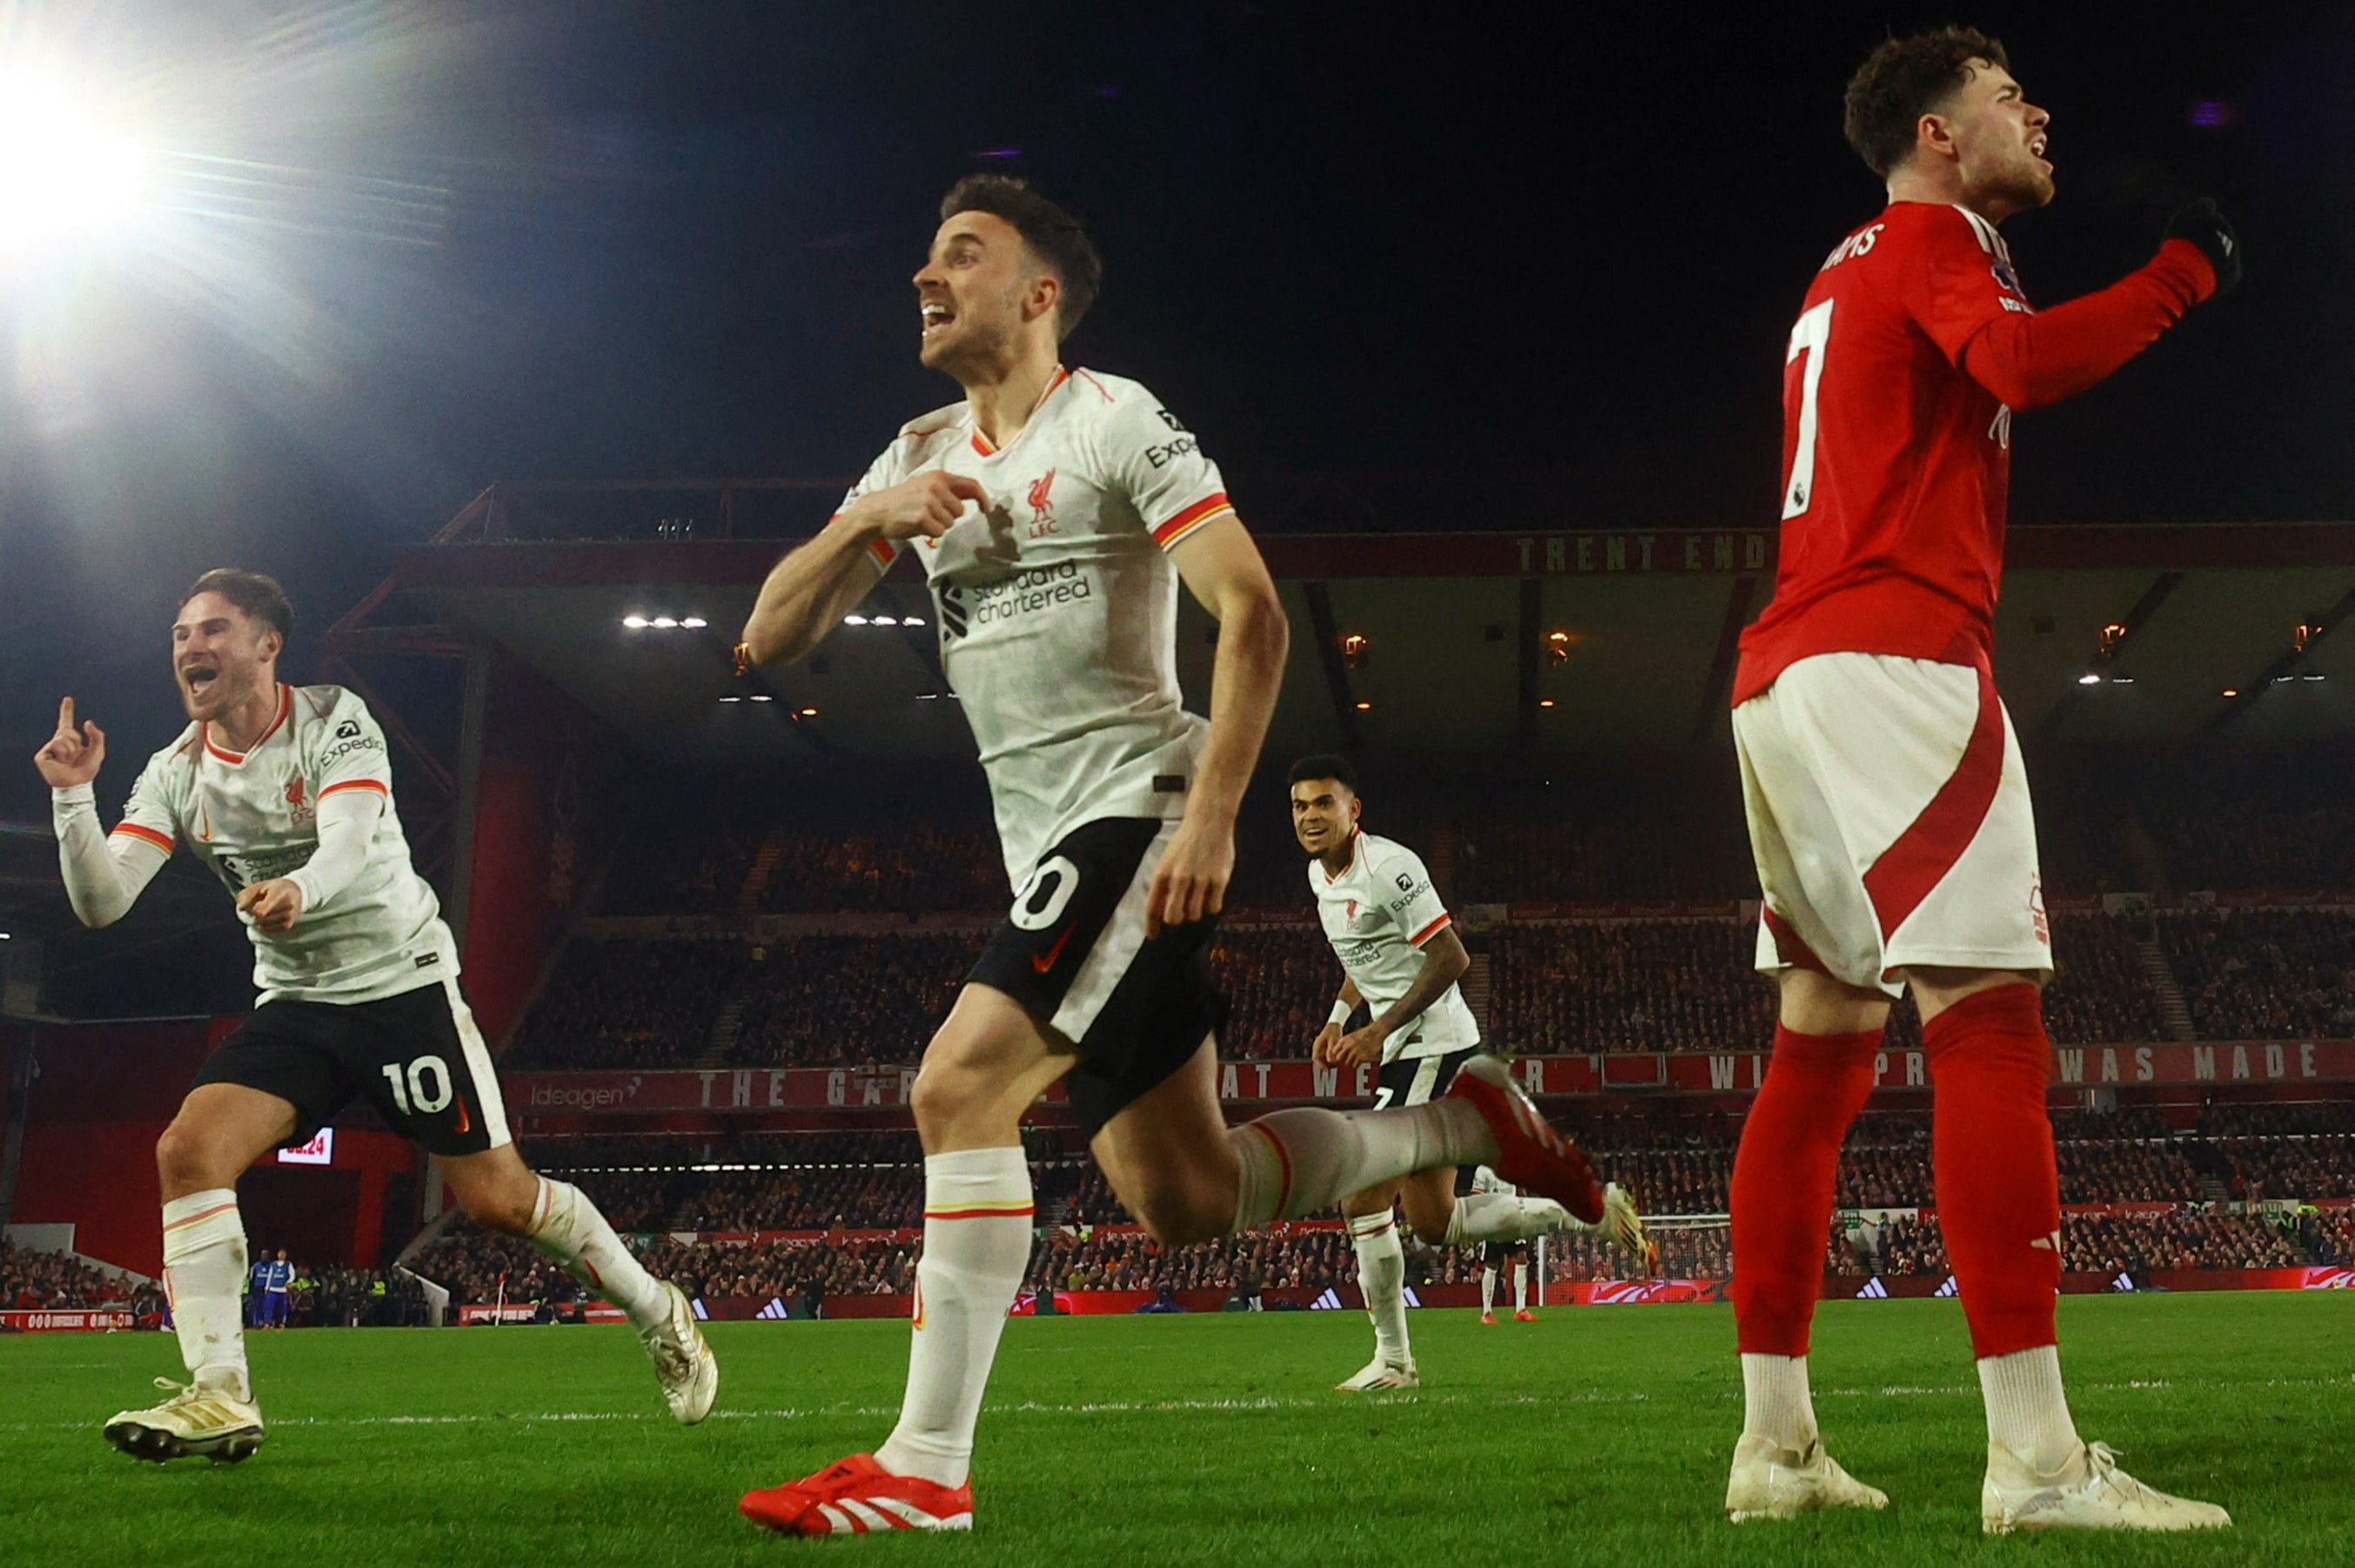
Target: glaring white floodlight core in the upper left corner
[(60, 171)]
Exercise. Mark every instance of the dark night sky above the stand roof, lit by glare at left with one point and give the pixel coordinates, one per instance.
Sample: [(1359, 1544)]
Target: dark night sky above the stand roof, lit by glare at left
[(1548, 258)]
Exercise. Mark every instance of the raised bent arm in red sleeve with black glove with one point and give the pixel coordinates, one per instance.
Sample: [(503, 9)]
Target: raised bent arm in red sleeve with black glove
[(2034, 359)]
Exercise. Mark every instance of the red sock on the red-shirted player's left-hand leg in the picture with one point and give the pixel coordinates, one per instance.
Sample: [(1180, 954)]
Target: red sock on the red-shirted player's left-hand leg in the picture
[(1784, 1183)]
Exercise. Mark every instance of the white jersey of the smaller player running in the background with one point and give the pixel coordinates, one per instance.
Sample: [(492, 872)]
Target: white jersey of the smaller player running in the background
[(1379, 915)]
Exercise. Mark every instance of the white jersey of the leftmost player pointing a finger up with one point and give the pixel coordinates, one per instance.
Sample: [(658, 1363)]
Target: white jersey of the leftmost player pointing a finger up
[(256, 816)]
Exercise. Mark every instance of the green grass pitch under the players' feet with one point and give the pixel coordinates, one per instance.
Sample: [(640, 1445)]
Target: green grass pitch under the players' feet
[(1593, 1437)]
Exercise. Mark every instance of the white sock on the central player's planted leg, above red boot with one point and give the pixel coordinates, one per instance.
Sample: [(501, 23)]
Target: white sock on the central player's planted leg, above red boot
[(976, 1244)]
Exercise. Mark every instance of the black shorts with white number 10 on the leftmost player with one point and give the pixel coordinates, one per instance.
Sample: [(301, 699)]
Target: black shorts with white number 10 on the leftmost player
[(416, 1058)]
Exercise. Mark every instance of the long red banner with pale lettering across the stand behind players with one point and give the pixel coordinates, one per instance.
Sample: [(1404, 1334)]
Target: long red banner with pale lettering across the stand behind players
[(821, 1089)]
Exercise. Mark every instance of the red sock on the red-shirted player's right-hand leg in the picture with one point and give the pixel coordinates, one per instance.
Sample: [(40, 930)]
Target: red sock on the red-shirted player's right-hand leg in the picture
[(1994, 1164)]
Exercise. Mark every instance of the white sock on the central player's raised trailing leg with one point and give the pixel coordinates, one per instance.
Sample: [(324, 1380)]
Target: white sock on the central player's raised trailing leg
[(1303, 1162)]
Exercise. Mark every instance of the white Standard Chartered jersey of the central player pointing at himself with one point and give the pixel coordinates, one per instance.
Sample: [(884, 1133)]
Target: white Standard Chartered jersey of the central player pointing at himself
[(1059, 604)]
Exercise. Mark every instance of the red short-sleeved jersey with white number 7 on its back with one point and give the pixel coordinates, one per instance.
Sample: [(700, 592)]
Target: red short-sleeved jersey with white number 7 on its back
[(1895, 460)]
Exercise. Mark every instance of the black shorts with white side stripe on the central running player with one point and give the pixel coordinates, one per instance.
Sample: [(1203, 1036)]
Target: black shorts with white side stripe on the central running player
[(1075, 955)]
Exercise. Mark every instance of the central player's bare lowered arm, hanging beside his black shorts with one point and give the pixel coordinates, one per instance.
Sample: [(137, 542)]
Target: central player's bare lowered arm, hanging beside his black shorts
[(1223, 571)]
